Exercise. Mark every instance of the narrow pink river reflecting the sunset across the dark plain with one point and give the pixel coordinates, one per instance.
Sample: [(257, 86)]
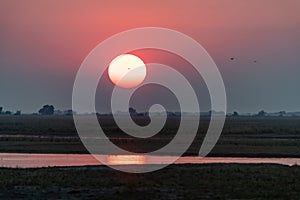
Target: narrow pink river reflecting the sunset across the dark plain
[(25, 160)]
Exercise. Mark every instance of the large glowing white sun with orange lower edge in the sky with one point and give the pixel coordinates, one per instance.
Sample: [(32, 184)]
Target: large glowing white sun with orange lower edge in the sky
[(127, 71)]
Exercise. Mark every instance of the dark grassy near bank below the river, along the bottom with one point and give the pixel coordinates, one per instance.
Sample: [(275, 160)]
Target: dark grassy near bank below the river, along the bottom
[(213, 181)]
